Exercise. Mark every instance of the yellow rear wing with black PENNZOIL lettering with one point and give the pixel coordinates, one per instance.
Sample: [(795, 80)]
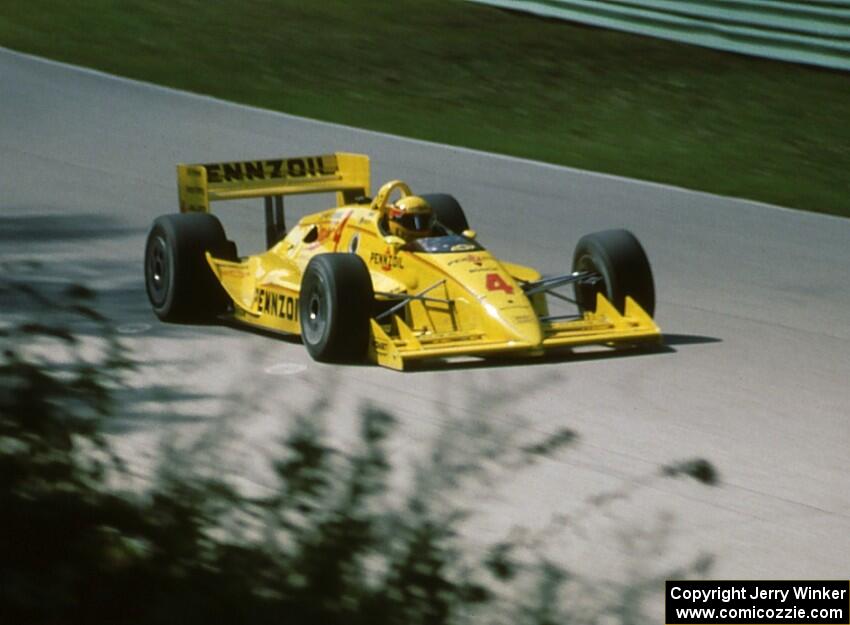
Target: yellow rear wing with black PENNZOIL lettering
[(343, 173)]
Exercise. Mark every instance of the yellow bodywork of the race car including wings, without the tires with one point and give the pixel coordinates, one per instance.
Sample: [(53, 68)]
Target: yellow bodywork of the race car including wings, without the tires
[(462, 301)]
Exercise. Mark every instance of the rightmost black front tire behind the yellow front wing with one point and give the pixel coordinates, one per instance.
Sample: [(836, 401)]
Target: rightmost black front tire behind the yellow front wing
[(618, 257)]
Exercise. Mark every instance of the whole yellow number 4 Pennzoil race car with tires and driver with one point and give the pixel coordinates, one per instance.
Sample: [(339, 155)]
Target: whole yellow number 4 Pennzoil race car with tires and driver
[(394, 279)]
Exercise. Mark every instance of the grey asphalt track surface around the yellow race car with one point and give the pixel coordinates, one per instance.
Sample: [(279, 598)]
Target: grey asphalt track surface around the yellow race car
[(754, 301)]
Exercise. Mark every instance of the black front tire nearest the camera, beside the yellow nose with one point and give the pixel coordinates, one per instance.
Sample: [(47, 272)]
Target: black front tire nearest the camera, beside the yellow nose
[(335, 306)]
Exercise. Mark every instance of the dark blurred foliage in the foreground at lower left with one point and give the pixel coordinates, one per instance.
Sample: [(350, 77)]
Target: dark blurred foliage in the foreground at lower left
[(325, 546)]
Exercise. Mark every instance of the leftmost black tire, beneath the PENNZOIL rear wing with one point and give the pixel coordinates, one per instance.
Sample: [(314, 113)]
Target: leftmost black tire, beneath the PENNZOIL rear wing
[(180, 284)]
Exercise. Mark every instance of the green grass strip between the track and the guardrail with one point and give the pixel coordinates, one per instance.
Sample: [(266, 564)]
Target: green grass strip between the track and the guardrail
[(471, 75)]
